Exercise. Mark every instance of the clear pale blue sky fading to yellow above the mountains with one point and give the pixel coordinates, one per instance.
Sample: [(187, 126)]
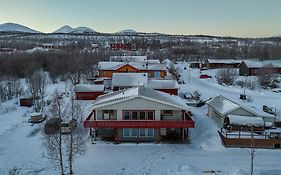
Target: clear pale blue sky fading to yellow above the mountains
[(240, 18)]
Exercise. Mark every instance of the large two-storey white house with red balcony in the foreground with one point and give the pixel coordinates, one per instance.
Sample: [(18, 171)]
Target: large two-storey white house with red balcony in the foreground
[(139, 114)]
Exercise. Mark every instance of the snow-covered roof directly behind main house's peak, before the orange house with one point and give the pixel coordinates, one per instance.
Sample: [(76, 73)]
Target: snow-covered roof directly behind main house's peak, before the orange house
[(129, 79)]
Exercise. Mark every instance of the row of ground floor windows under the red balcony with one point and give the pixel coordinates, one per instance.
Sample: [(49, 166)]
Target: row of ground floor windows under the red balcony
[(141, 132)]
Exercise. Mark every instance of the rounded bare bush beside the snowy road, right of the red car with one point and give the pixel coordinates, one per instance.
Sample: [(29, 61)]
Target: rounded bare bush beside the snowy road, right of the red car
[(226, 76)]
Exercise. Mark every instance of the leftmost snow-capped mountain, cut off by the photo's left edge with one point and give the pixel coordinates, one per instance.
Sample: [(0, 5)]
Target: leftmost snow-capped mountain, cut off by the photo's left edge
[(13, 27)]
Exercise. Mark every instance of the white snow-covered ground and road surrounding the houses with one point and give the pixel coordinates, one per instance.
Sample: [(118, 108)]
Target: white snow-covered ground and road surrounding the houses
[(22, 146)]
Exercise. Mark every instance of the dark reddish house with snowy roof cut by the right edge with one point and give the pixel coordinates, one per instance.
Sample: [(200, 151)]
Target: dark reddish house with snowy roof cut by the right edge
[(253, 67)]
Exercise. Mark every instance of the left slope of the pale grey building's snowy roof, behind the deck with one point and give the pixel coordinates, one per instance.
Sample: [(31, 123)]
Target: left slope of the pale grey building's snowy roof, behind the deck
[(222, 105)]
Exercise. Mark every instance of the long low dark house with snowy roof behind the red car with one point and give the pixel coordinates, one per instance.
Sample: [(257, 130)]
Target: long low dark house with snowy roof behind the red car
[(222, 63)]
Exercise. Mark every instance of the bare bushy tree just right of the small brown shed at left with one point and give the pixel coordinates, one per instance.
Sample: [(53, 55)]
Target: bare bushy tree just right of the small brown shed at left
[(37, 87)]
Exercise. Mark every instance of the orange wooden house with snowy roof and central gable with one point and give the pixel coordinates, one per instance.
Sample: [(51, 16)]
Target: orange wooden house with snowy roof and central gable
[(106, 69)]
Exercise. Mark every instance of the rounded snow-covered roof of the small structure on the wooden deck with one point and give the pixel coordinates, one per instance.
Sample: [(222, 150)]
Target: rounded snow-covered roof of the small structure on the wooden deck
[(245, 120)]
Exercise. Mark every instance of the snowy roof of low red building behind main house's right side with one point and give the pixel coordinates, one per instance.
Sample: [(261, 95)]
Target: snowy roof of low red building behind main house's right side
[(163, 84)]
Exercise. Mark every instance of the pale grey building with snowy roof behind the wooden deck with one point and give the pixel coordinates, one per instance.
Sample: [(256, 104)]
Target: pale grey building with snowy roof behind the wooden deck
[(220, 107)]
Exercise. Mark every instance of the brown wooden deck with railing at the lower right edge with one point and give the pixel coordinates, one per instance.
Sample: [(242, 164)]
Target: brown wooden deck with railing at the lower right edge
[(250, 139)]
